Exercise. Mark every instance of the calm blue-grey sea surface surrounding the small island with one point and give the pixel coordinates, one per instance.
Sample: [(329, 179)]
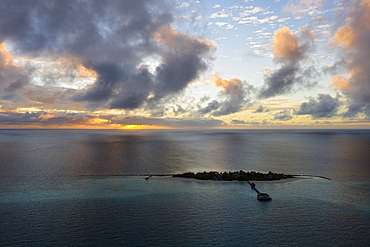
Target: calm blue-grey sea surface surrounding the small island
[(57, 188)]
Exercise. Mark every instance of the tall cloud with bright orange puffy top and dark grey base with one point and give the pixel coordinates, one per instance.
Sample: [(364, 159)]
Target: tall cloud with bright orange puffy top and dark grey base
[(289, 51)]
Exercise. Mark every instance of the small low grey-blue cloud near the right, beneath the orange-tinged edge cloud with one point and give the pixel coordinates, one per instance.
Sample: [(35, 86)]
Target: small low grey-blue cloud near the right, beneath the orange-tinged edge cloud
[(324, 107)]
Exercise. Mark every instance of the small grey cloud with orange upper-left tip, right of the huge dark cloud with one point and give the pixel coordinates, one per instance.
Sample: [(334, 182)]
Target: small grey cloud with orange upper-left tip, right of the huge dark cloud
[(234, 94)]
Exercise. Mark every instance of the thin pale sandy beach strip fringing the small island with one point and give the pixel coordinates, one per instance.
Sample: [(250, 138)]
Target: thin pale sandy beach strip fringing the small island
[(170, 178)]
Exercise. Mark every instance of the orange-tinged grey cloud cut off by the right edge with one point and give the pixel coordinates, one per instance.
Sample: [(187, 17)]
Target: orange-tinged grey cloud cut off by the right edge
[(353, 44)]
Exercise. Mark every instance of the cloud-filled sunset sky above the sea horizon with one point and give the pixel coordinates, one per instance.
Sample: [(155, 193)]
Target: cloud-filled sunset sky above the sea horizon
[(157, 64)]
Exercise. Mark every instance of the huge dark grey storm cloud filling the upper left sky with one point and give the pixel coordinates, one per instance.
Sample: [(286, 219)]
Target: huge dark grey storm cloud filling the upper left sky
[(114, 39)]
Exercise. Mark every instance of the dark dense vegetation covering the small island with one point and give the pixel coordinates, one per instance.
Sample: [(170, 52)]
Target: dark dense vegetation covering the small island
[(239, 175)]
